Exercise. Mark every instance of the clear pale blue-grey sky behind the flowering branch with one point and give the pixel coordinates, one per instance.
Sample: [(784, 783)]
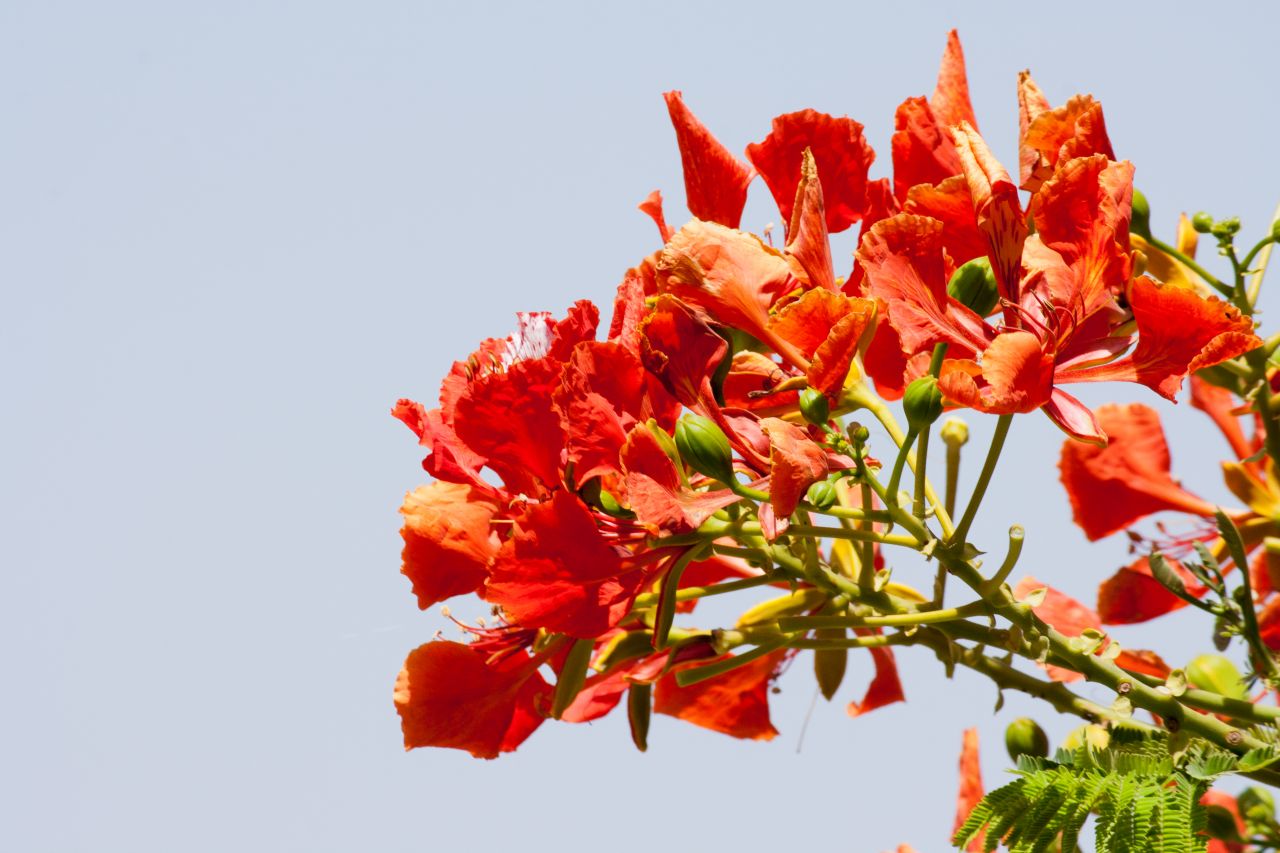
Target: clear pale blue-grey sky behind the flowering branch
[(234, 234)]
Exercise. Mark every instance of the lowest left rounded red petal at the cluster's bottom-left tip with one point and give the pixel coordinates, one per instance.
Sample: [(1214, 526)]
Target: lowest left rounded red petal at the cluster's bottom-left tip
[(454, 696)]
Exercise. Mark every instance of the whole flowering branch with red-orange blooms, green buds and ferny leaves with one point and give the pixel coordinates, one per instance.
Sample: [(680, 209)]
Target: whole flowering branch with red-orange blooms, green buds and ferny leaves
[(716, 443)]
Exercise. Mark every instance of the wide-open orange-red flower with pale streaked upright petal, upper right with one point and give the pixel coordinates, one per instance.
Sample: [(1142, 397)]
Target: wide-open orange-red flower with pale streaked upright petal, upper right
[(1060, 290)]
